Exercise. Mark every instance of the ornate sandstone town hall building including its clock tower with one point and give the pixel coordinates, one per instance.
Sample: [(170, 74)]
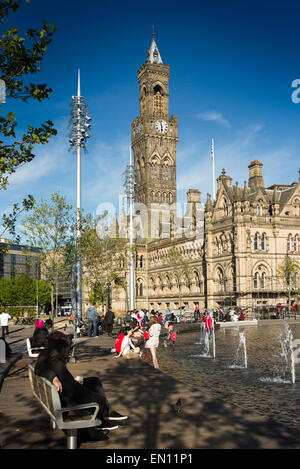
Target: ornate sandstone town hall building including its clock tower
[(233, 246)]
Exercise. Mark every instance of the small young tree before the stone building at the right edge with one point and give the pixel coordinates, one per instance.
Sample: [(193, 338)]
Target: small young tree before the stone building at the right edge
[(289, 273)]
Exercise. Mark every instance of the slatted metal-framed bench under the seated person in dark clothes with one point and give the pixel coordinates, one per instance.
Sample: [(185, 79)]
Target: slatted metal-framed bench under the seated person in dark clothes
[(66, 418)]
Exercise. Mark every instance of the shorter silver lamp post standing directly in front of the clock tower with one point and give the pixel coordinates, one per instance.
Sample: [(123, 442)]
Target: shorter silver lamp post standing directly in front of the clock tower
[(129, 185)]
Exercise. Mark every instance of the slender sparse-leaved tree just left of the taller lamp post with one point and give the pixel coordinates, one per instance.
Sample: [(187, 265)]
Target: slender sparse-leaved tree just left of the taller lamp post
[(51, 227)]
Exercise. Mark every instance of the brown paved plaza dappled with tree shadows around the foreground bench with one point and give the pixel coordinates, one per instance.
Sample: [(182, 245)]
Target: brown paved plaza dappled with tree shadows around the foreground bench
[(135, 388)]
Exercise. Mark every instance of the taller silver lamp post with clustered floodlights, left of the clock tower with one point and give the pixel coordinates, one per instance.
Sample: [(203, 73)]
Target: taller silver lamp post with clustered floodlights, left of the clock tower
[(79, 133)]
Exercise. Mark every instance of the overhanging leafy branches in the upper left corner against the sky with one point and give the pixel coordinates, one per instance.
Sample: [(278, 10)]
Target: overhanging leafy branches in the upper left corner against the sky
[(20, 57)]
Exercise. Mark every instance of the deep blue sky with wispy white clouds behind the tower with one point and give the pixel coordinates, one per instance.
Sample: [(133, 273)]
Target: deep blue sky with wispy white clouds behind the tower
[(232, 67)]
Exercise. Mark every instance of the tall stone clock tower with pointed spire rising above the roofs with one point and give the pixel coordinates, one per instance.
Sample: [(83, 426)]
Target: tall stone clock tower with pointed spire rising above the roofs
[(154, 137)]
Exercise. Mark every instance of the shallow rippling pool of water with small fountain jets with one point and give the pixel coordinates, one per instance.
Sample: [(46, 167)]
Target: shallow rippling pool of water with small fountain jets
[(265, 386)]
